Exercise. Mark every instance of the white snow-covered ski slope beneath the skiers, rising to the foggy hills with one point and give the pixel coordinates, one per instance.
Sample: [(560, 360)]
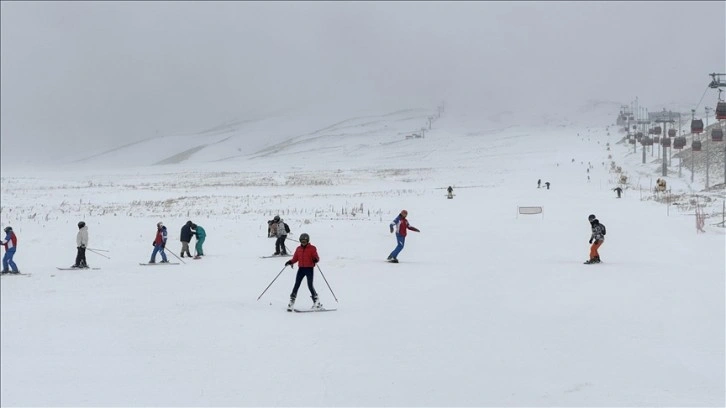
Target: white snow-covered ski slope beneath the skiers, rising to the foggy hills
[(487, 307)]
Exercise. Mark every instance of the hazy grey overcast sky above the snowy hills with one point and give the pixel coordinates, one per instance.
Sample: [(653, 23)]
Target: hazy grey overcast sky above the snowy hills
[(101, 74)]
